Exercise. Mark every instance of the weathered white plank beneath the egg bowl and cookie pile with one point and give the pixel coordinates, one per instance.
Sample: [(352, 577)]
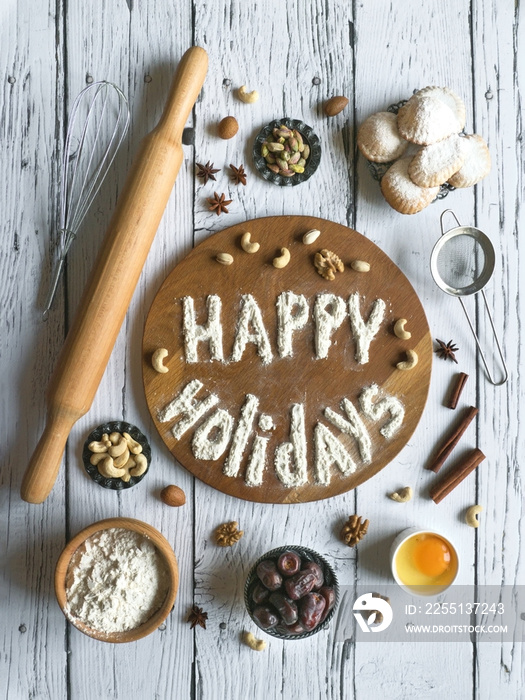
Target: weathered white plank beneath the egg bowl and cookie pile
[(396, 52)]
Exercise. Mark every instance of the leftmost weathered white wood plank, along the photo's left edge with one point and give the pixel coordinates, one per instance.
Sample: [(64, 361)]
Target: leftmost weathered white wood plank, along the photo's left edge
[(33, 656)]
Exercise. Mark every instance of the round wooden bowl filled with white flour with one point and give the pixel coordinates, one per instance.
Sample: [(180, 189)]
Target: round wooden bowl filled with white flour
[(117, 580)]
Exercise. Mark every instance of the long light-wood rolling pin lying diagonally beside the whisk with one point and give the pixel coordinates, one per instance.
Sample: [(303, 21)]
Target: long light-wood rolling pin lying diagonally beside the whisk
[(114, 277)]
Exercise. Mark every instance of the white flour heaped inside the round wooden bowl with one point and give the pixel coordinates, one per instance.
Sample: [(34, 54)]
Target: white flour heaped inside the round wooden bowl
[(116, 581)]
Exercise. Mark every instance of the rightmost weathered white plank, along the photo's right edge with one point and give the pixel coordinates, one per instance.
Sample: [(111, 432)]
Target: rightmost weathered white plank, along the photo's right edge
[(498, 63)]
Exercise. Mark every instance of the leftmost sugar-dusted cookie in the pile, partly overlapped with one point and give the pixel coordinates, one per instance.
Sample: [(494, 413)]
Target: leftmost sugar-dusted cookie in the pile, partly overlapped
[(378, 138)]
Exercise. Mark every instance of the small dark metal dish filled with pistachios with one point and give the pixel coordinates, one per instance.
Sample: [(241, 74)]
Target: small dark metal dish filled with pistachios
[(287, 152)]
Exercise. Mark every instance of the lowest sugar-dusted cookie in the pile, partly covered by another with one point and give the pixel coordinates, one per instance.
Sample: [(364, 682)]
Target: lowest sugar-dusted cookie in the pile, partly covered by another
[(401, 193)]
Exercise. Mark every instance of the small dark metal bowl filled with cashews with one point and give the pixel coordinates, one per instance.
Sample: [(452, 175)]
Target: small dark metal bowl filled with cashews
[(116, 455)]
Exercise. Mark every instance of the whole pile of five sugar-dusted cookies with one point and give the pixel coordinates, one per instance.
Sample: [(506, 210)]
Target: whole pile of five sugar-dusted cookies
[(417, 149)]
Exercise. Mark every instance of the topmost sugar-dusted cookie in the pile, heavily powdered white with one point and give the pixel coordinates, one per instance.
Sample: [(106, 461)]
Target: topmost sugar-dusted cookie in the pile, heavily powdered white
[(426, 119)]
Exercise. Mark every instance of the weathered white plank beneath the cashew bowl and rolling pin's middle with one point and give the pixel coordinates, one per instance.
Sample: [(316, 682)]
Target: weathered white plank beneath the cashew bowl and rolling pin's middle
[(130, 49)]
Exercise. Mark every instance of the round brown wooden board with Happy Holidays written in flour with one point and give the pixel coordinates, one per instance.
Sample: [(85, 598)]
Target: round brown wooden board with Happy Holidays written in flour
[(302, 384)]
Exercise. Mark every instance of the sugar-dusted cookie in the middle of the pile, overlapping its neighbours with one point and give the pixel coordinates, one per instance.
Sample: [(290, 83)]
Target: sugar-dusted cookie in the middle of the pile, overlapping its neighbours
[(433, 165)]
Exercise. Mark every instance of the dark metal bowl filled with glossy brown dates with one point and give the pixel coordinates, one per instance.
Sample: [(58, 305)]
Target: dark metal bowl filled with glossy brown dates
[(291, 592)]
